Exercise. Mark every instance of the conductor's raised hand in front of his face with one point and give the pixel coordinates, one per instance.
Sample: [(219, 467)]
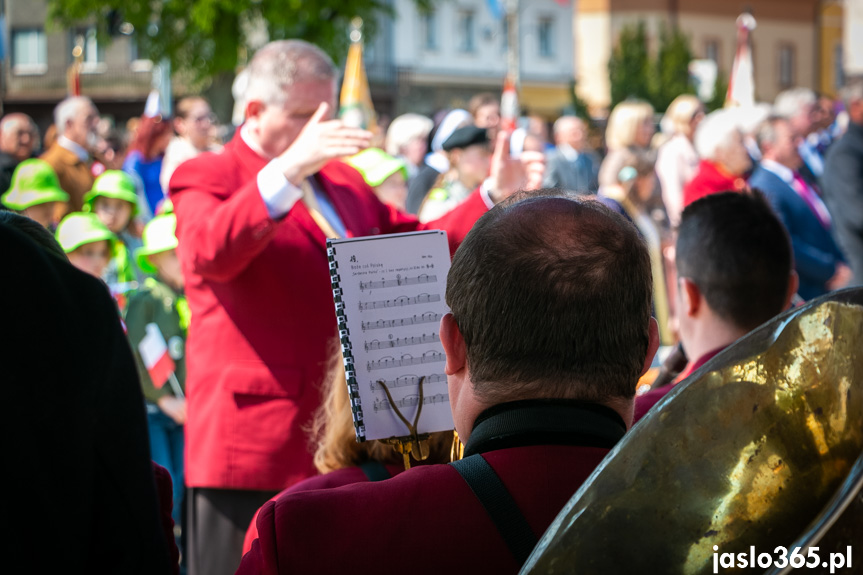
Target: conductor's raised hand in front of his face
[(320, 141)]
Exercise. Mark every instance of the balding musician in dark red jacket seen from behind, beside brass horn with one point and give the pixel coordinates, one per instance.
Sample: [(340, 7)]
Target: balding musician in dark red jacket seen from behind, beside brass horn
[(549, 331)]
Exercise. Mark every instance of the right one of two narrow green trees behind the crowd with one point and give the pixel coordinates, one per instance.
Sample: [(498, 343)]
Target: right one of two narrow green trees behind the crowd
[(671, 68)]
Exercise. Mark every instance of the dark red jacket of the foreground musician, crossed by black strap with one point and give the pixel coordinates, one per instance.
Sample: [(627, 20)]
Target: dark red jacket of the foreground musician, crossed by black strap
[(425, 520)]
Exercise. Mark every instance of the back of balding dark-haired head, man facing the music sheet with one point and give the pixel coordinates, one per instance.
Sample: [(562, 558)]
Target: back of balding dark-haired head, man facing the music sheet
[(552, 296)]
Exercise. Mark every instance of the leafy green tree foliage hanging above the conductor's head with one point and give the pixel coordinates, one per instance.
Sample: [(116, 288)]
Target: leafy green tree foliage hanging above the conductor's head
[(209, 38)]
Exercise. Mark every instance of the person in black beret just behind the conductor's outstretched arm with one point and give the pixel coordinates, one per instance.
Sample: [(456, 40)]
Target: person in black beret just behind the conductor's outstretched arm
[(469, 151)]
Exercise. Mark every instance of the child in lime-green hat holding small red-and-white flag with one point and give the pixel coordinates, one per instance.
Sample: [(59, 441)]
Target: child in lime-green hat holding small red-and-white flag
[(160, 301)]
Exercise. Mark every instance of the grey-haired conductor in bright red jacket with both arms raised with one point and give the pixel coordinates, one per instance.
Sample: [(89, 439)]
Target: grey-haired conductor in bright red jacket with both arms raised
[(252, 223)]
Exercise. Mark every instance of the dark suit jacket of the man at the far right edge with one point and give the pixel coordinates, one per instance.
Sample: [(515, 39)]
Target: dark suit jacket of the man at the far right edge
[(843, 192)]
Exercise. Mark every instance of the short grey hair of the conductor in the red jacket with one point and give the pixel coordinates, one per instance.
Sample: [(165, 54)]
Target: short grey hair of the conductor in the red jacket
[(281, 64)]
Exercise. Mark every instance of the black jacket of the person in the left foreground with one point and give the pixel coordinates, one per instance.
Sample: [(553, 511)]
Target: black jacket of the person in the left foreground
[(79, 481)]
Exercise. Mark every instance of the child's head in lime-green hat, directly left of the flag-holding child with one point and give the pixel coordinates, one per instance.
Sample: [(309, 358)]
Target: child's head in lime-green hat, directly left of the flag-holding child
[(88, 244)]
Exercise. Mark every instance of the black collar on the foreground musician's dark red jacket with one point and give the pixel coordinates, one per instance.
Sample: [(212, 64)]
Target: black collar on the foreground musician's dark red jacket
[(545, 422)]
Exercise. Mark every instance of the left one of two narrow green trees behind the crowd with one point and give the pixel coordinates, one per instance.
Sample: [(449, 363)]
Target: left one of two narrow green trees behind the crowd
[(629, 65)]
